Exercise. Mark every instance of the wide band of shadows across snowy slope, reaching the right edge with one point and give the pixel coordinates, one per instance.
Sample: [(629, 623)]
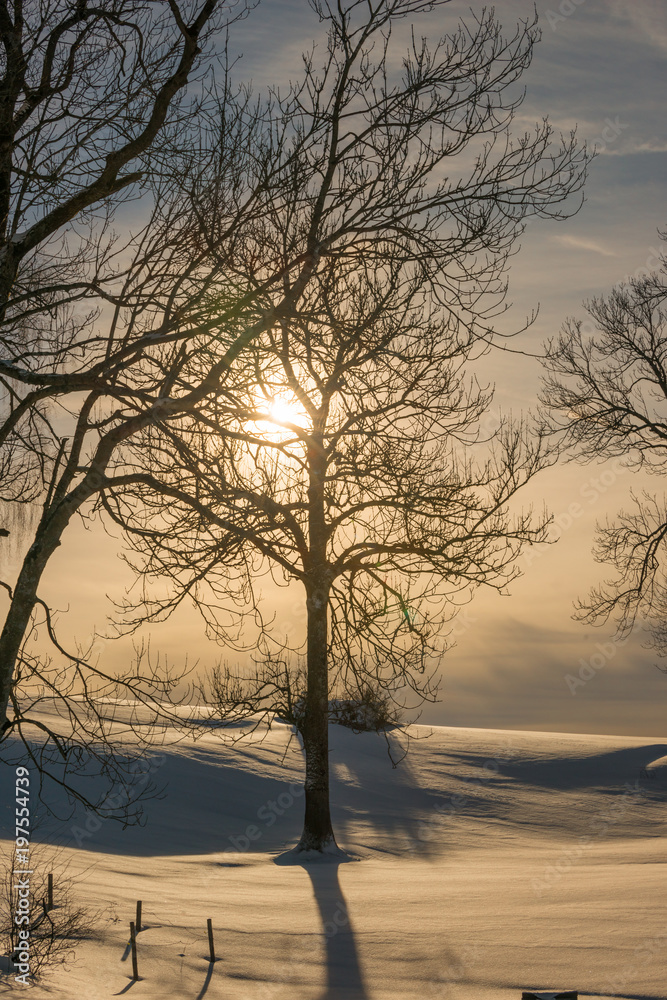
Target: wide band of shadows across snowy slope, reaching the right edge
[(258, 806)]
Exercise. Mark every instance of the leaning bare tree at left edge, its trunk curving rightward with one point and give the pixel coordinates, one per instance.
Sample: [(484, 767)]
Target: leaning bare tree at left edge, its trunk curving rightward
[(110, 373)]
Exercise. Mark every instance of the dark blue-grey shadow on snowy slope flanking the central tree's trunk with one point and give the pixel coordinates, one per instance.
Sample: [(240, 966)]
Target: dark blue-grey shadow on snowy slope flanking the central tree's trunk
[(238, 802)]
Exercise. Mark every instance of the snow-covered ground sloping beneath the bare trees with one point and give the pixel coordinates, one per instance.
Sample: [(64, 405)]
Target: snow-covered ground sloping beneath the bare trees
[(489, 862)]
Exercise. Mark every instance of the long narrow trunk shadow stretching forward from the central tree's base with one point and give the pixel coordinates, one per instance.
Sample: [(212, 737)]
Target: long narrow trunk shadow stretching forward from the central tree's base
[(345, 979)]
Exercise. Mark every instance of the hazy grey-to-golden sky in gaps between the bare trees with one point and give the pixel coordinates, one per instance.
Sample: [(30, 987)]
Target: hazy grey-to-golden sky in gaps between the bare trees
[(520, 661)]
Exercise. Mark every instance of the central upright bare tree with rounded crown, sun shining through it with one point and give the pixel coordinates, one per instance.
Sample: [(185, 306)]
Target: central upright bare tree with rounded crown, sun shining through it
[(336, 462)]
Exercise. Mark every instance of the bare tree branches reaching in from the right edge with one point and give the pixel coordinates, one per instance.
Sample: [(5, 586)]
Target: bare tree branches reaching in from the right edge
[(606, 397)]
